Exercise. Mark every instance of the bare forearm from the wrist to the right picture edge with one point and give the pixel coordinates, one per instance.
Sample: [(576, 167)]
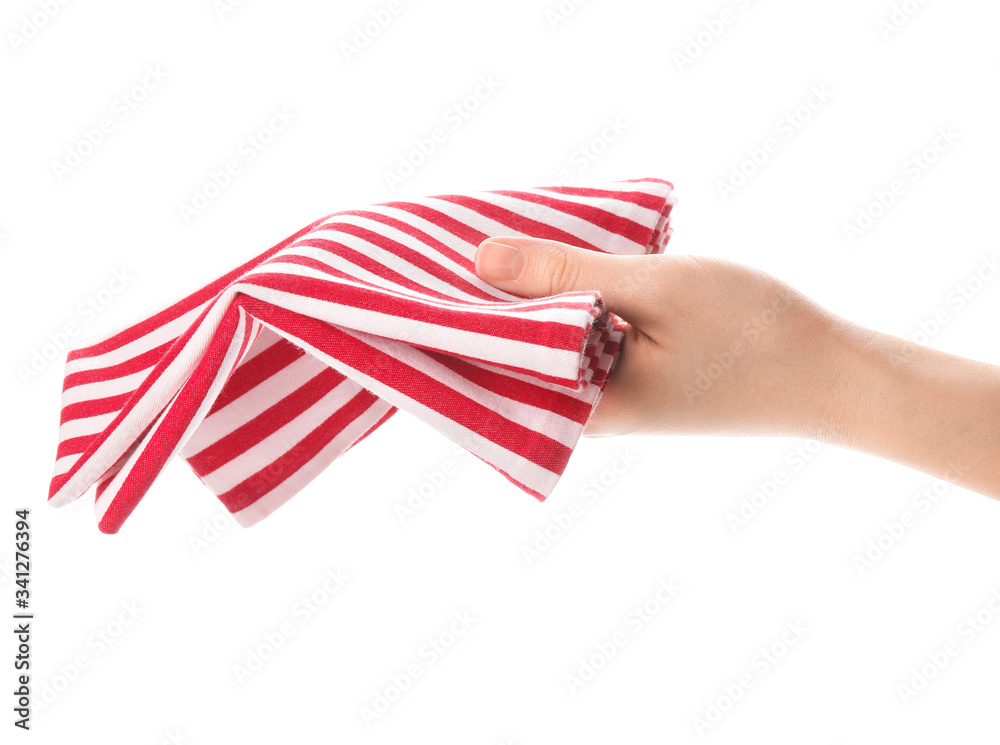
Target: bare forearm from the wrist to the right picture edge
[(917, 406)]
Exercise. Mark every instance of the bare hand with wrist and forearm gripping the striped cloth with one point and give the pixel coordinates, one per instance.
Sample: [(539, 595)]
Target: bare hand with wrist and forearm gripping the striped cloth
[(714, 347)]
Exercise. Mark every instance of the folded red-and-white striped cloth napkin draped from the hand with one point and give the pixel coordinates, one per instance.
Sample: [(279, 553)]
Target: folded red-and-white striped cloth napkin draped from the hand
[(265, 376)]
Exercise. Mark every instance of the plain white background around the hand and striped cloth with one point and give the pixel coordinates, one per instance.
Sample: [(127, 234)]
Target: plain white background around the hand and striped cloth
[(169, 675)]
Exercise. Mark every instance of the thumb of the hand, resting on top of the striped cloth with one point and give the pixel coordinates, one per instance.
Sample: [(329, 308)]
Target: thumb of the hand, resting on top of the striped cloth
[(533, 267)]
